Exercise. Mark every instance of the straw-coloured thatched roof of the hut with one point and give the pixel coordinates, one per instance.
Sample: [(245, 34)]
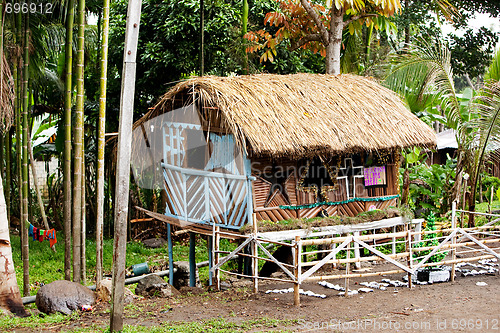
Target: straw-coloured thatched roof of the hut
[(302, 115)]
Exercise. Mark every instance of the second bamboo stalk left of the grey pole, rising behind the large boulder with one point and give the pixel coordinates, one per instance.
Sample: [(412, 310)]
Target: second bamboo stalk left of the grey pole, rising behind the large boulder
[(78, 147)]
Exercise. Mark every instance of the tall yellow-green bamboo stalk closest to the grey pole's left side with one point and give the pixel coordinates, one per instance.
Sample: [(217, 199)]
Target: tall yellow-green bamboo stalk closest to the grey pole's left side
[(101, 145)]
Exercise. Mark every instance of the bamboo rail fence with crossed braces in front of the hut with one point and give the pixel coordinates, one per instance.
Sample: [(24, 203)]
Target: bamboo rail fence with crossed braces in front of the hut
[(407, 251)]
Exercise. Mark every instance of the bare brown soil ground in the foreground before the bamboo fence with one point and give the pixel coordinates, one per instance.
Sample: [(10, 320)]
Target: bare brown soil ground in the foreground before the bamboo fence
[(444, 307)]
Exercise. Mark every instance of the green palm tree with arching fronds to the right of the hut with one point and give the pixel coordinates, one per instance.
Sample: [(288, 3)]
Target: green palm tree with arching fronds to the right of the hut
[(426, 68)]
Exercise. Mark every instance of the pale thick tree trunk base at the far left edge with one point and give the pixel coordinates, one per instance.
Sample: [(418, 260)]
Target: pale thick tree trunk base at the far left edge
[(10, 297)]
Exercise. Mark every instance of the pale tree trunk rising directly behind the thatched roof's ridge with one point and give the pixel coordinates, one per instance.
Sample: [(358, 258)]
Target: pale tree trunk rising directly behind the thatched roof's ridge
[(334, 42)]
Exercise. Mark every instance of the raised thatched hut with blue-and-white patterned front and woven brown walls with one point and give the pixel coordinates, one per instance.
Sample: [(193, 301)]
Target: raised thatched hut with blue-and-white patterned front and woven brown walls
[(274, 148)]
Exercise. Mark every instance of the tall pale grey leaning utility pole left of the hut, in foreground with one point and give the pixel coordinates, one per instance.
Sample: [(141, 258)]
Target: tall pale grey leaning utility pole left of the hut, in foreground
[(123, 163)]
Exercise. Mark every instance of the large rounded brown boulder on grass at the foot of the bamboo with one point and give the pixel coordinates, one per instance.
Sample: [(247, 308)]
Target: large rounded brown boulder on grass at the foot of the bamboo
[(63, 296)]
